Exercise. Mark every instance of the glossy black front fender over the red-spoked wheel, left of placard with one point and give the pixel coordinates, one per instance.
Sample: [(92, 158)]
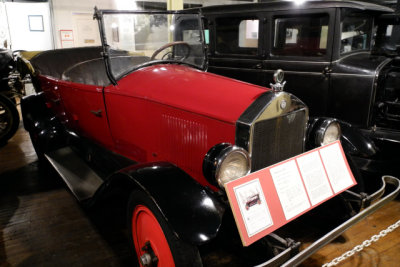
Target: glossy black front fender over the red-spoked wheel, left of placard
[(193, 212)]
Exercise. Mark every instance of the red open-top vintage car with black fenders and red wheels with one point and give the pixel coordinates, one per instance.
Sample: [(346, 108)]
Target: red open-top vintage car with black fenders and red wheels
[(139, 116)]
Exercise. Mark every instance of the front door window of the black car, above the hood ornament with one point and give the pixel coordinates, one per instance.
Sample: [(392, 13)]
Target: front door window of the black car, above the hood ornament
[(301, 36)]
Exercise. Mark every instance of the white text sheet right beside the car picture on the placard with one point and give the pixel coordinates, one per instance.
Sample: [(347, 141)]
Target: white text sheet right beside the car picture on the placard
[(290, 189)]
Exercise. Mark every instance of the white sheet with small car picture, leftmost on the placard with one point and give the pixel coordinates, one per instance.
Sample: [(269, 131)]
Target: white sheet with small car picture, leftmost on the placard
[(253, 207)]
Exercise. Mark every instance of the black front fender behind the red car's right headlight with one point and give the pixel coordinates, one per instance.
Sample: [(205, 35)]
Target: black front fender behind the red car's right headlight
[(354, 142)]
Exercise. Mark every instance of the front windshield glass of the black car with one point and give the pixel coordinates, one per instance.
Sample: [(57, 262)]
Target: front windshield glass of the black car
[(356, 32)]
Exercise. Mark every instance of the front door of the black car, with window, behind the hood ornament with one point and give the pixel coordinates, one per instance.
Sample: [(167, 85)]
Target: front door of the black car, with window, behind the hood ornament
[(300, 43)]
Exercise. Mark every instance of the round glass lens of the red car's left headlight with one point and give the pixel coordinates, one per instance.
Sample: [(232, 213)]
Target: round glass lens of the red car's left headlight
[(234, 163)]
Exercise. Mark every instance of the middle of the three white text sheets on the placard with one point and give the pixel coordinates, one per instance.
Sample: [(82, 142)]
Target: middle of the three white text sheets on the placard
[(314, 177)]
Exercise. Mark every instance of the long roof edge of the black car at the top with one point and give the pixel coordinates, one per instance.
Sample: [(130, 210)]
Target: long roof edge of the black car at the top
[(291, 5)]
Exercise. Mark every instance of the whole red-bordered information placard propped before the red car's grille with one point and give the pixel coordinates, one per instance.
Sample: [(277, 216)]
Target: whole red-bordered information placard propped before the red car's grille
[(266, 200)]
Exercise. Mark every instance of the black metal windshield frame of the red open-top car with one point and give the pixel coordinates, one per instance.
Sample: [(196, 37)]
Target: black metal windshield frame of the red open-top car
[(98, 14)]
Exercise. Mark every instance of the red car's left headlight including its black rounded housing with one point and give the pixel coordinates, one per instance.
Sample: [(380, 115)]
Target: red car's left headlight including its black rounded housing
[(224, 163)]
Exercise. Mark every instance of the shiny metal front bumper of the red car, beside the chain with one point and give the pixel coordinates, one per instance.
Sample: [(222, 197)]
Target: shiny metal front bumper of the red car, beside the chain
[(285, 257)]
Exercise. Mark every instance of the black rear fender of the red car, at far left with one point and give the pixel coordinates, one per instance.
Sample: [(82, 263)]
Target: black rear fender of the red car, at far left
[(38, 120)]
